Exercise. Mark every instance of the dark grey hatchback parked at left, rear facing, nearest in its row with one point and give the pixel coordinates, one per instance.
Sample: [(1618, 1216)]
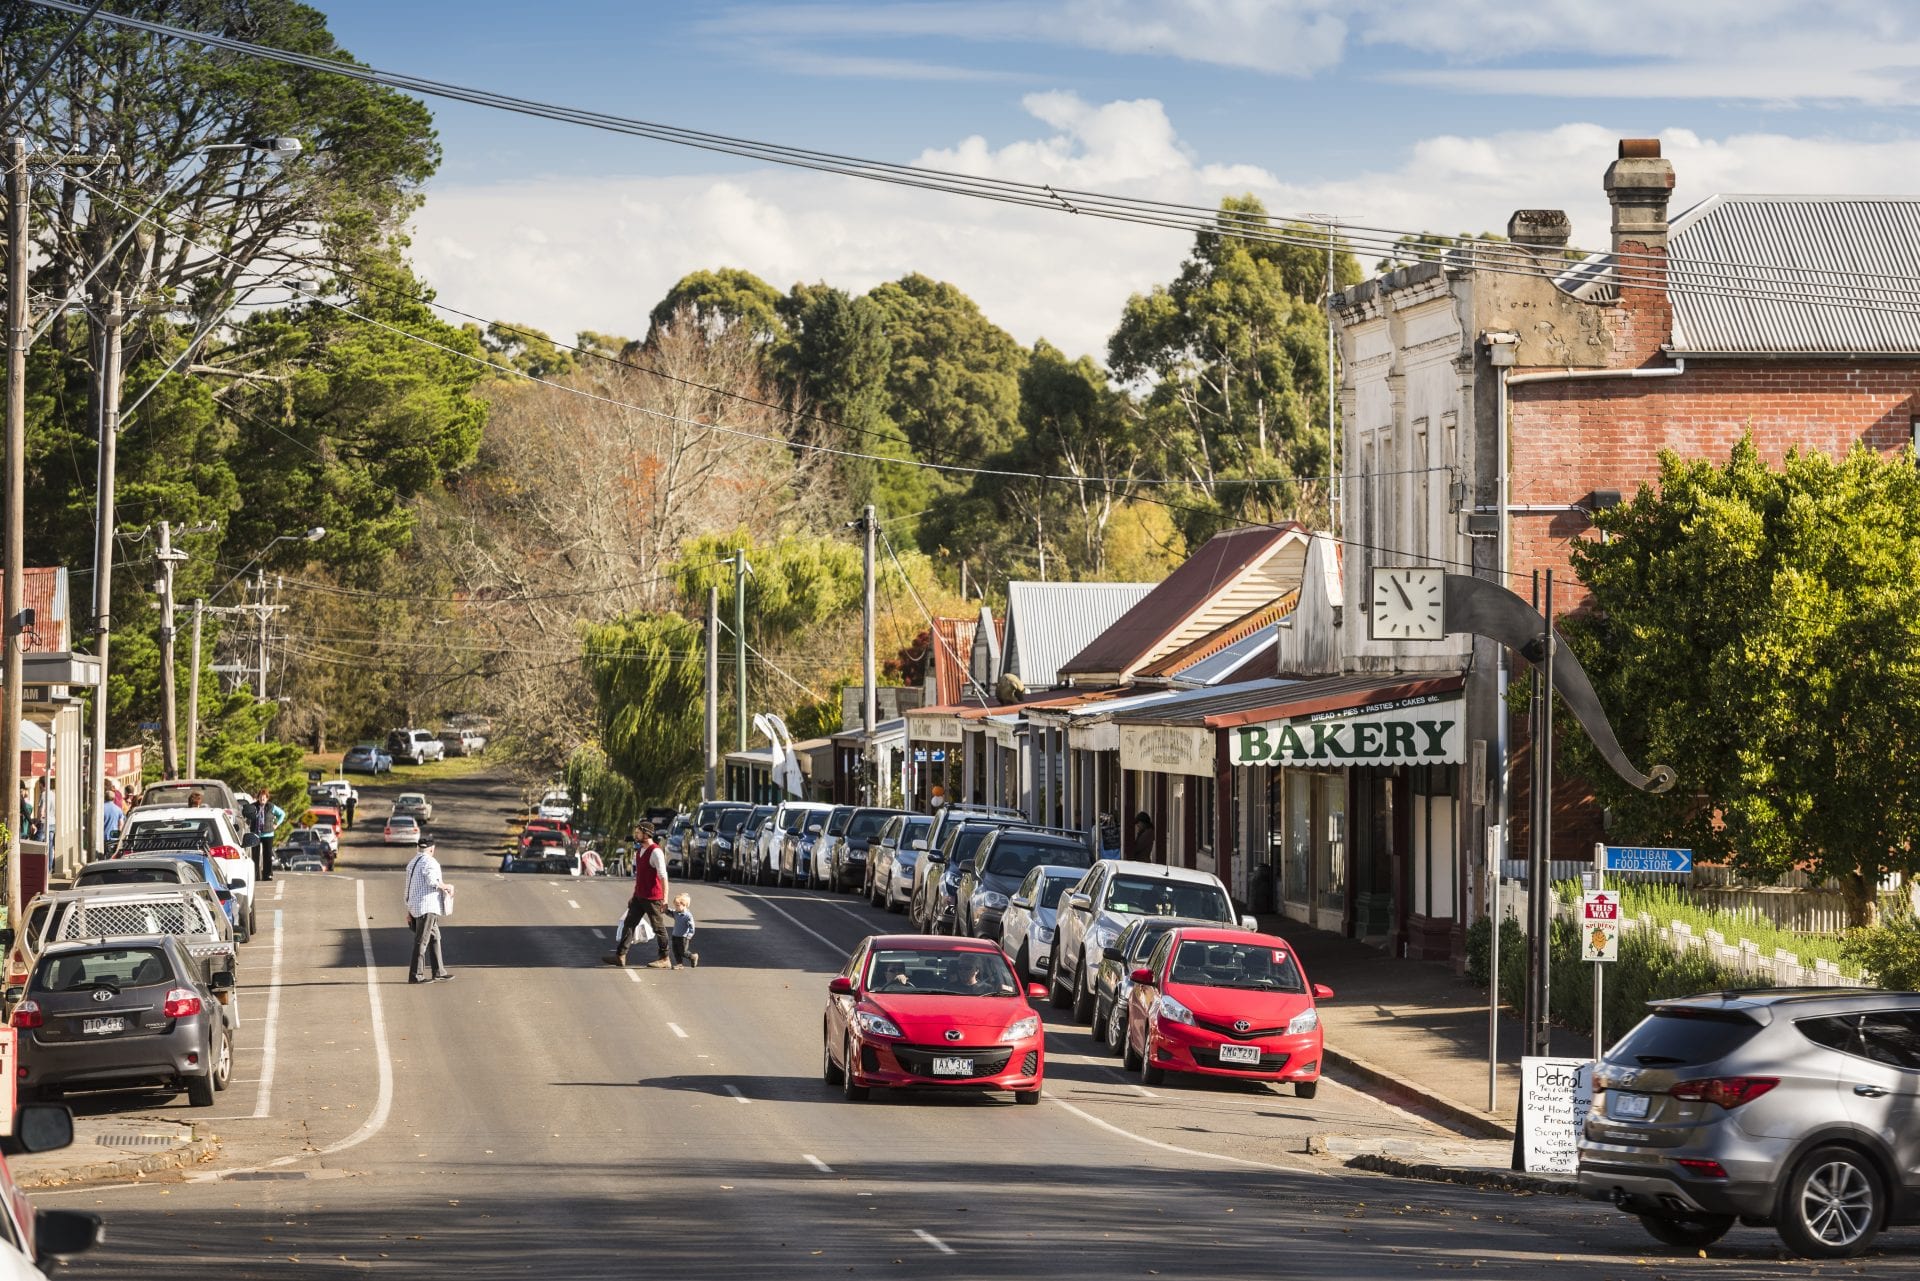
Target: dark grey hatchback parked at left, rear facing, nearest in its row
[(116, 1013)]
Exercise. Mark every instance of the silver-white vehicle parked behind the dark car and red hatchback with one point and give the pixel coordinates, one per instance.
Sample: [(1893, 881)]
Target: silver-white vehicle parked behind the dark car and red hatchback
[(1115, 890)]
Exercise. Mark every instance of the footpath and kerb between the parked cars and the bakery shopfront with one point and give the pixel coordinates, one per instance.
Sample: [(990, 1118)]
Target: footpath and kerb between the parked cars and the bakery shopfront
[(1418, 1036)]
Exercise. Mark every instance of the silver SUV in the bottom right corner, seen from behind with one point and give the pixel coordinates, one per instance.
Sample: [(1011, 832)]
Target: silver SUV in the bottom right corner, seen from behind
[(1796, 1109)]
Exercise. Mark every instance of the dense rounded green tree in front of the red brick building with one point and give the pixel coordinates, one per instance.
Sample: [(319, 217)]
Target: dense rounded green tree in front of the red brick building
[(1758, 629)]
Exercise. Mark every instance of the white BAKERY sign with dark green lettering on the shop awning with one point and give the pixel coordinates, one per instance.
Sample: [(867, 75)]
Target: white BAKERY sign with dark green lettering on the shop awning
[(1422, 731)]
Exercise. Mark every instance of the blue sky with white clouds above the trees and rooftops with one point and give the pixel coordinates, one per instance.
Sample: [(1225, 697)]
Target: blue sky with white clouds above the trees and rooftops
[(1399, 114)]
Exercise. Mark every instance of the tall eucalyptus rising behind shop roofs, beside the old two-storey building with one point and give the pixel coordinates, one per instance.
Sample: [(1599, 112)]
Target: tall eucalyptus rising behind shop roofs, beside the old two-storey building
[(1236, 360)]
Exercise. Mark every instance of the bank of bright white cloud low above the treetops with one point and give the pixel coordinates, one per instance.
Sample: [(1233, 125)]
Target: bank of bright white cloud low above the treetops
[(598, 254)]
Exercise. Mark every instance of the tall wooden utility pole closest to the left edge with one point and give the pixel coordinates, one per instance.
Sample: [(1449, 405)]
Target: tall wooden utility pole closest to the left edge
[(18, 195)]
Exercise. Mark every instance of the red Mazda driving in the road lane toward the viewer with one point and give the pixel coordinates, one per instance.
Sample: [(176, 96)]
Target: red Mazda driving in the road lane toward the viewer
[(932, 1013)]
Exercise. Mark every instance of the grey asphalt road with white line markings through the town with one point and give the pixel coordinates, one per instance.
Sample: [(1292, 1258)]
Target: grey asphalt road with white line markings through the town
[(546, 1115)]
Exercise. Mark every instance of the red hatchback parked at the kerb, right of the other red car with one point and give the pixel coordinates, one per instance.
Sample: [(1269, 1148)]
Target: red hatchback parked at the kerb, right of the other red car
[(1226, 1003)]
